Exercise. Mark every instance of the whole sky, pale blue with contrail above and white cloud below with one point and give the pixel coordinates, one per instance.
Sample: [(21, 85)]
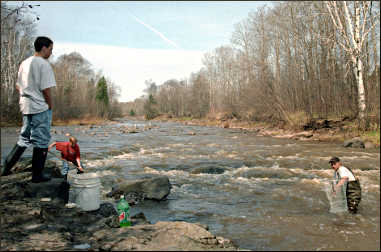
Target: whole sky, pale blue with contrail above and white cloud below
[(133, 41)]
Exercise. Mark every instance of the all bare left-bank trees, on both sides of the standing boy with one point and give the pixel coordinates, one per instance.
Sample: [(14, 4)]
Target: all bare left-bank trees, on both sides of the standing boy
[(79, 93)]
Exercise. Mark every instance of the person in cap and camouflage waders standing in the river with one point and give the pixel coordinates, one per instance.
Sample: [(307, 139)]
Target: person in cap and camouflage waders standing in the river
[(345, 175)]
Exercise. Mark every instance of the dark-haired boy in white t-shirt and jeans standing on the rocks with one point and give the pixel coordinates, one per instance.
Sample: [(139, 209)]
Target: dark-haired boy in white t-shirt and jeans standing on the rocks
[(34, 82)]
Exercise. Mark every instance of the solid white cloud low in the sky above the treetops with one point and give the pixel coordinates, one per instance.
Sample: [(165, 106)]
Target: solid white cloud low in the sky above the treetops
[(130, 67)]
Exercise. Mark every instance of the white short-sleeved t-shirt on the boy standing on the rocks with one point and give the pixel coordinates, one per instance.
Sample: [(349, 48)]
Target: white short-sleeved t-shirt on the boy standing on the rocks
[(35, 74)]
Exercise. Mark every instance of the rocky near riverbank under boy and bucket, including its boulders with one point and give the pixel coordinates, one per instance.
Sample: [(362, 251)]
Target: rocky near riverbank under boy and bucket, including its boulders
[(35, 217)]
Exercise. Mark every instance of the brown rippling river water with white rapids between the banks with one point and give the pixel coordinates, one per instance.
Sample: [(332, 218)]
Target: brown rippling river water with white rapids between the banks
[(263, 193)]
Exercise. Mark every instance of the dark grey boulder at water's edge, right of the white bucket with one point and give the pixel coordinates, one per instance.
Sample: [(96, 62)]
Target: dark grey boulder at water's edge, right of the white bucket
[(155, 188)]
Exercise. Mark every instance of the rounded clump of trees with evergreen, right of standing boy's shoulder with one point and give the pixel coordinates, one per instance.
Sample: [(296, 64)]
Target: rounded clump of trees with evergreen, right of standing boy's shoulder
[(82, 93)]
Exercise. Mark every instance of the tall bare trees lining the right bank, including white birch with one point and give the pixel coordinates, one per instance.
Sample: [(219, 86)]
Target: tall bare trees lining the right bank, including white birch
[(293, 59)]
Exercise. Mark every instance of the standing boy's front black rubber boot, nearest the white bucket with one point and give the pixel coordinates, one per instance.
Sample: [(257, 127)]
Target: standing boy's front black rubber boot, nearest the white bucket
[(38, 164)]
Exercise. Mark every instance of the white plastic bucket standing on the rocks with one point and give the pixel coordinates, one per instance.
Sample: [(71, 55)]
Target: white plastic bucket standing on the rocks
[(85, 190)]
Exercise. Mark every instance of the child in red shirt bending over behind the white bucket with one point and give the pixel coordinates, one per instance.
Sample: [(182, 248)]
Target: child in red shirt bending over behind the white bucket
[(69, 153)]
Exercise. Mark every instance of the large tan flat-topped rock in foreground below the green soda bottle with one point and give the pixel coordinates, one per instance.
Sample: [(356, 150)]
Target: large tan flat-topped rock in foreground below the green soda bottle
[(165, 236)]
